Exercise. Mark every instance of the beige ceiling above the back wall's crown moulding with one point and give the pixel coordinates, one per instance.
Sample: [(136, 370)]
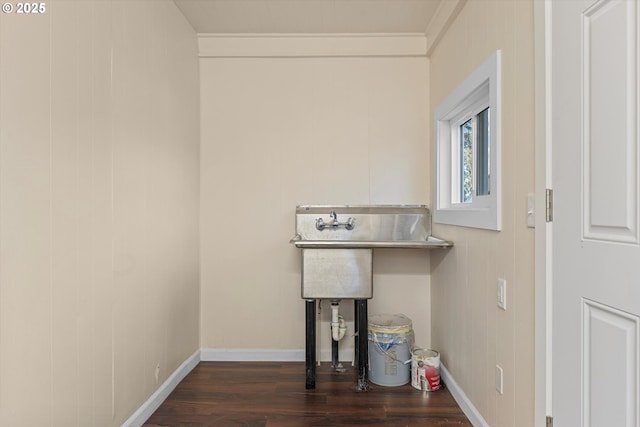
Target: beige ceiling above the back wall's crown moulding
[(308, 16)]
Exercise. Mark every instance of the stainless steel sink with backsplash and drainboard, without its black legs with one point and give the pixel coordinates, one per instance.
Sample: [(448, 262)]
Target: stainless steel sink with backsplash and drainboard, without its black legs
[(337, 243)]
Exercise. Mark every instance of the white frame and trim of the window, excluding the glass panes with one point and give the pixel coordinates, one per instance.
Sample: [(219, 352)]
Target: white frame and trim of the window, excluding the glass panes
[(479, 91)]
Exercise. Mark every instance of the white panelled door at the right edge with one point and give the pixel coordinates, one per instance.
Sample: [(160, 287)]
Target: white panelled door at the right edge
[(596, 240)]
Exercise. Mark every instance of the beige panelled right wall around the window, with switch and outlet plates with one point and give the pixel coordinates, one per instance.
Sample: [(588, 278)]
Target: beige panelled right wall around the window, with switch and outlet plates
[(467, 327)]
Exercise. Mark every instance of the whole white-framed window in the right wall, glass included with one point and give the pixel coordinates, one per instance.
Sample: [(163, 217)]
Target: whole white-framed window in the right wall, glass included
[(467, 134)]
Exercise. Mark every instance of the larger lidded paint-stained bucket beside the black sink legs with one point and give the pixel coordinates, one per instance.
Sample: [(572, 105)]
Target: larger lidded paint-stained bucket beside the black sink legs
[(390, 340)]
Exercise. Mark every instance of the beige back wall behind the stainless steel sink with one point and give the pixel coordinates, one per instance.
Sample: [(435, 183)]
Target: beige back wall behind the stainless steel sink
[(278, 132)]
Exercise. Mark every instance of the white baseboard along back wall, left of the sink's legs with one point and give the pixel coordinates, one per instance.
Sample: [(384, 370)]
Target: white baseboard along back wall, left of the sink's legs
[(250, 355)]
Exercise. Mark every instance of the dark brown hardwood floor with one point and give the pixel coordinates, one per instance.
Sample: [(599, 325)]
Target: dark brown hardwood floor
[(273, 394)]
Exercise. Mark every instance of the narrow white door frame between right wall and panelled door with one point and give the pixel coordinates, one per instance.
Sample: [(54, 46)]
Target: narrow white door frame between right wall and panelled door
[(543, 229)]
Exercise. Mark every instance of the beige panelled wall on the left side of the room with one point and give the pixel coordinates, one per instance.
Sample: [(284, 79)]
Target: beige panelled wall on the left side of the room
[(98, 209)]
